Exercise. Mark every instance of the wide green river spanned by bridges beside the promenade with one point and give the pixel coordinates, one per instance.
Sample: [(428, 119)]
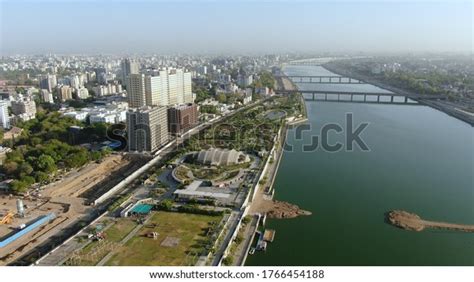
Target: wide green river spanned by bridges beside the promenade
[(420, 160)]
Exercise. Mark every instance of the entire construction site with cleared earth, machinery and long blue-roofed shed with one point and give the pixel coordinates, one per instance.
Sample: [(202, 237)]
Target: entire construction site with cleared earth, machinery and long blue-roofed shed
[(49, 211)]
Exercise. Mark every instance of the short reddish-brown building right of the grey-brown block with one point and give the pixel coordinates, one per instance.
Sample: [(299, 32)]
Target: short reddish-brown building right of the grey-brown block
[(182, 118)]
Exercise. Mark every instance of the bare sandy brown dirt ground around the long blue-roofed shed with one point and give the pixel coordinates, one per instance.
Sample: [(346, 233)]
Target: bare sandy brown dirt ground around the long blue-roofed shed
[(61, 198)]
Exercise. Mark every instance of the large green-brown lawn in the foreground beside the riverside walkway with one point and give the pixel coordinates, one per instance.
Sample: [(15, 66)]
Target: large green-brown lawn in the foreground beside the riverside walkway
[(190, 229)]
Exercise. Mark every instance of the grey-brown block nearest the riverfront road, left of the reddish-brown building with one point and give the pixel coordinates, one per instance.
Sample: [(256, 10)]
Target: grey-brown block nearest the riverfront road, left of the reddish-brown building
[(147, 129)]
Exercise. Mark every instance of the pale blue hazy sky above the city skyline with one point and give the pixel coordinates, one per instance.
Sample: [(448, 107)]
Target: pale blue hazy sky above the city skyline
[(231, 26)]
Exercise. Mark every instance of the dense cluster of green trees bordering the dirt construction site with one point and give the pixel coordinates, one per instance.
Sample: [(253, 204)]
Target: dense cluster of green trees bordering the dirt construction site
[(46, 147)]
